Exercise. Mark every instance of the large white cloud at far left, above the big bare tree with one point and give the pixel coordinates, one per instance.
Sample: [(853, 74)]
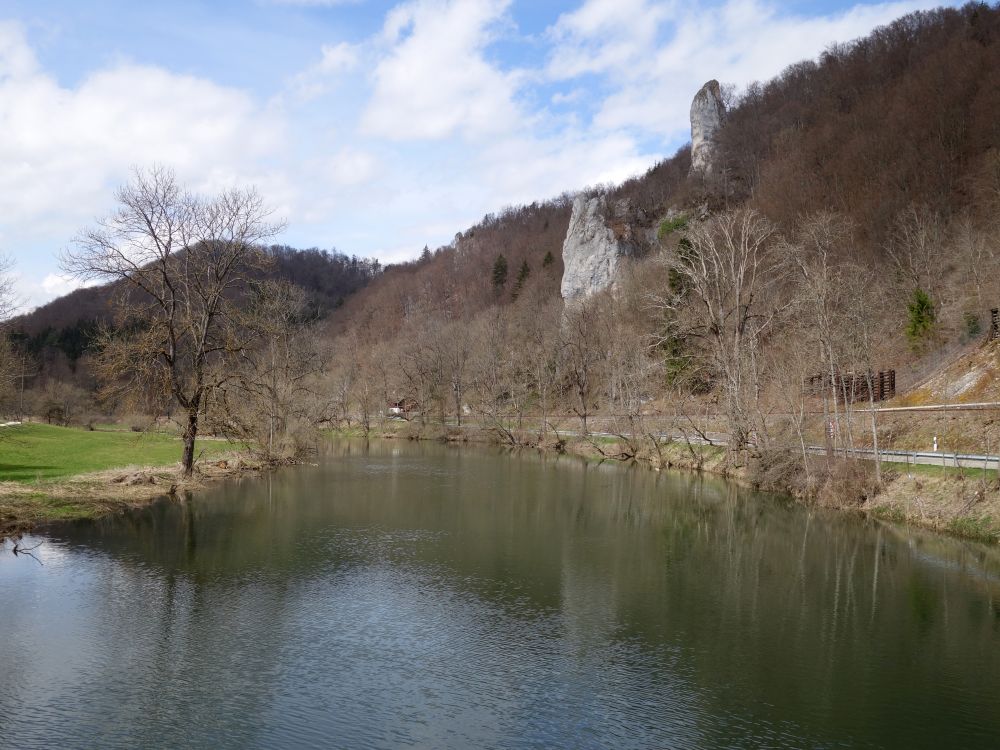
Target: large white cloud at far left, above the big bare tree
[(64, 148)]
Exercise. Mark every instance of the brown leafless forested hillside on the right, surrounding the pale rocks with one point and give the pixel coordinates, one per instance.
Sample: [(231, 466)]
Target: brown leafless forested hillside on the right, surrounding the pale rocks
[(850, 224)]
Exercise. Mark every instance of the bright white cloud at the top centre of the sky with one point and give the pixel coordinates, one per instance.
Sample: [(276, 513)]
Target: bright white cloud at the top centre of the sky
[(433, 79)]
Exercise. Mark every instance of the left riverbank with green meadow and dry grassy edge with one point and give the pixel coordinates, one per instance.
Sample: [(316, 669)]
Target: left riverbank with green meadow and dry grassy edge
[(50, 473)]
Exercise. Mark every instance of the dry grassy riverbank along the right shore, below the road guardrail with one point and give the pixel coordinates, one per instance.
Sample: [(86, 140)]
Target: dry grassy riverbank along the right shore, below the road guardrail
[(960, 502)]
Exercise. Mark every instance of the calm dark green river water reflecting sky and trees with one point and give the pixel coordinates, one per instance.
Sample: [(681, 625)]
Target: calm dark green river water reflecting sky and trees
[(417, 595)]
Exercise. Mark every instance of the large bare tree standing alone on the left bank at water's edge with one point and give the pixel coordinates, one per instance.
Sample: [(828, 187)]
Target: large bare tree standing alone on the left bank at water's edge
[(180, 261)]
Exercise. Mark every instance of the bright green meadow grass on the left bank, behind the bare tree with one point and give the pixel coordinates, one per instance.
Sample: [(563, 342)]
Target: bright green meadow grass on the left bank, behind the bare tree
[(40, 451)]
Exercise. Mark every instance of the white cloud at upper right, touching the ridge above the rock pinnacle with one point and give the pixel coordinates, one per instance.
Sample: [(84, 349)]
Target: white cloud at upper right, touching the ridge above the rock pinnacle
[(653, 56)]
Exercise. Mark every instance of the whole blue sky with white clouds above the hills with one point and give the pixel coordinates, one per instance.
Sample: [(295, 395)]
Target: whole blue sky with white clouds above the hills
[(374, 127)]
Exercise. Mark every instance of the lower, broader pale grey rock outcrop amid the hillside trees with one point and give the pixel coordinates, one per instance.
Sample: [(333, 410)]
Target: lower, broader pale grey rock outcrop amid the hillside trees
[(593, 248)]
